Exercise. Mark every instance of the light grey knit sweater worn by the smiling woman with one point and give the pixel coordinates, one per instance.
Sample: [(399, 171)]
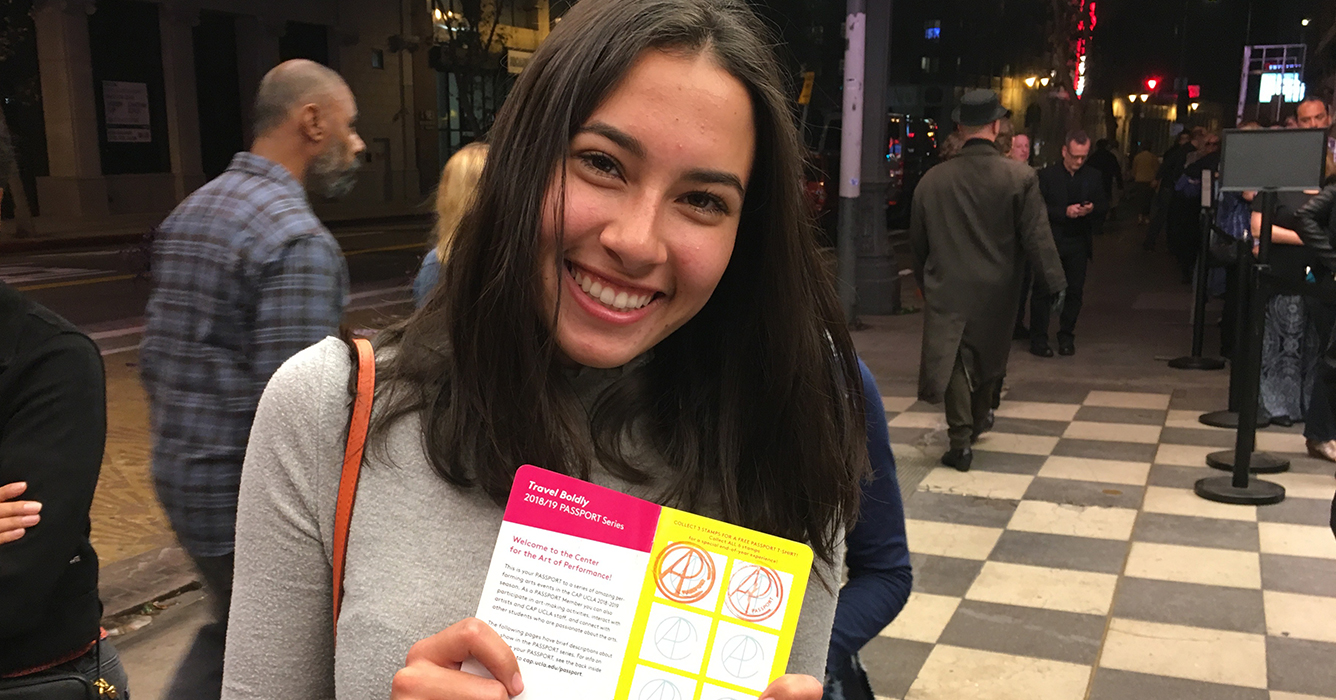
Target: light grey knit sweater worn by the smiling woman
[(417, 554)]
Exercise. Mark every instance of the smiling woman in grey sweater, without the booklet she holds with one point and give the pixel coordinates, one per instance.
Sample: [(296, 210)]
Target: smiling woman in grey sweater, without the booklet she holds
[(635, 300)]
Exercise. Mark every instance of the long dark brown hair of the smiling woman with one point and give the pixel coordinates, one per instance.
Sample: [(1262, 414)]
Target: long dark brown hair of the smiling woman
[(754, 405)]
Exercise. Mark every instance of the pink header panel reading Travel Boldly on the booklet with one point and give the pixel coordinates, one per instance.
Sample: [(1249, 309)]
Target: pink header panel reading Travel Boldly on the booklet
[(558, 503)]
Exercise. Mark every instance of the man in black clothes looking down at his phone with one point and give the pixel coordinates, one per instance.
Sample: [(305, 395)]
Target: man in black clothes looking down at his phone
[(1075, 197)]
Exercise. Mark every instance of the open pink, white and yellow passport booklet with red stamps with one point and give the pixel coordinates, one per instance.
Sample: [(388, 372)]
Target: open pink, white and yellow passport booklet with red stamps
[(605, 596)]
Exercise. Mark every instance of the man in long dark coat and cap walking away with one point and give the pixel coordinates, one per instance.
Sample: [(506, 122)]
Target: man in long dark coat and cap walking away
[(976, 221)]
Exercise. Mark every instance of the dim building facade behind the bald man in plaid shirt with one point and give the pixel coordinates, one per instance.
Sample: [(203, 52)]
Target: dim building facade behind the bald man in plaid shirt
[(145, 101)]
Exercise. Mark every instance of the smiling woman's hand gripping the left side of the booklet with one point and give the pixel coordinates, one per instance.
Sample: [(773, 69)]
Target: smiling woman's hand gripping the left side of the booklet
[(432, 670)]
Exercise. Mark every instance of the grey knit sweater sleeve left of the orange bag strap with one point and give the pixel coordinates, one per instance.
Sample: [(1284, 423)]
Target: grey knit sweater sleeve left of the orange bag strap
[(281, 639)]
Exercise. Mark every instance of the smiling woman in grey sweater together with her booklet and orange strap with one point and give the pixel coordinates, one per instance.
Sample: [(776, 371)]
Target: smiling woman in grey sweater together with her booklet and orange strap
[(637, 304)]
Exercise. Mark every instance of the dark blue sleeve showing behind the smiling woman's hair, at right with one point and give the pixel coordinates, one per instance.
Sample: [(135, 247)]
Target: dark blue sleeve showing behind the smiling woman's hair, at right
[(878, 555)]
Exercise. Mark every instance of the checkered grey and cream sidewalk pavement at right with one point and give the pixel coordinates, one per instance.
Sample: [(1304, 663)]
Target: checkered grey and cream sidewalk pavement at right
[(1075, 562)]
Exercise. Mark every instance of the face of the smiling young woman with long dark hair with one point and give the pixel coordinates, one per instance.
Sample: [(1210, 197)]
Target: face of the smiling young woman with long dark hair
[(654, 193)]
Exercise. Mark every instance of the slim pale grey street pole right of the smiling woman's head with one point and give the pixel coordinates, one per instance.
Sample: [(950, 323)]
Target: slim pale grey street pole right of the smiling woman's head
[(852, 156)]
